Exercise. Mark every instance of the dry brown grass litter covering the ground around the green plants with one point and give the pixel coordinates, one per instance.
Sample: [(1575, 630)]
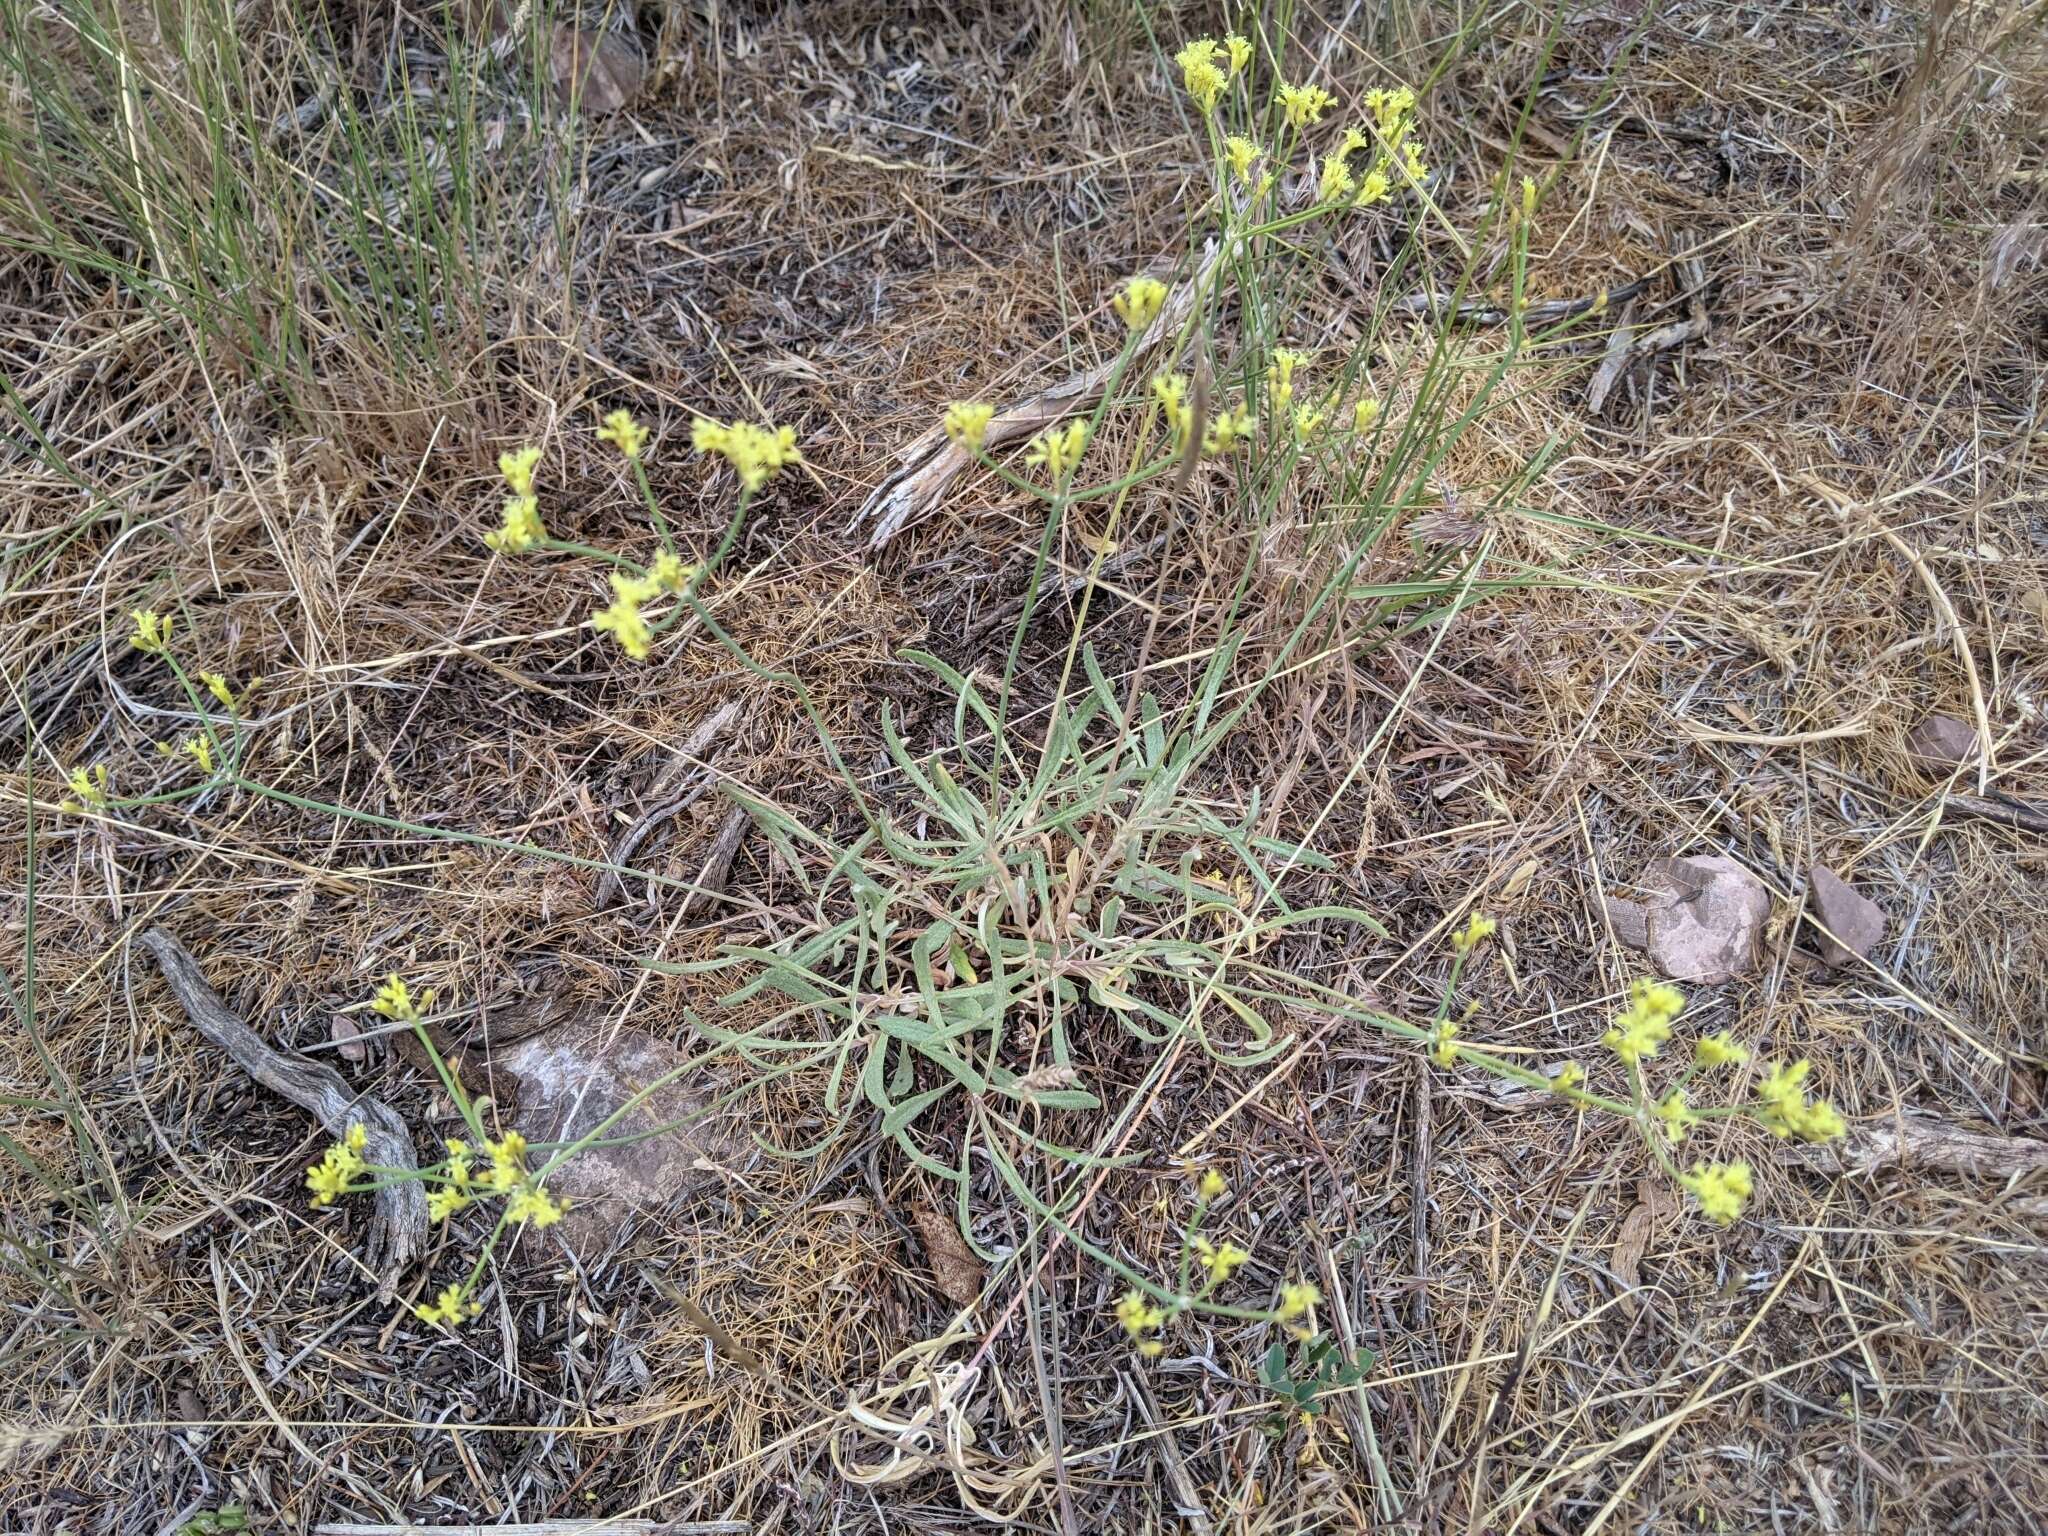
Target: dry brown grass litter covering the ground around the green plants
[(839, 222)]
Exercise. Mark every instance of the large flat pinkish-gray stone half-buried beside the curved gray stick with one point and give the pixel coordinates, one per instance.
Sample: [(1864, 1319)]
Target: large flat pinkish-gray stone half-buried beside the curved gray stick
[(574, 1076)]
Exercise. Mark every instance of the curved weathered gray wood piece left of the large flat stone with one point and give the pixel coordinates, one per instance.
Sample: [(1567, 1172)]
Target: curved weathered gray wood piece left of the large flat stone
[(398, 1228)]
